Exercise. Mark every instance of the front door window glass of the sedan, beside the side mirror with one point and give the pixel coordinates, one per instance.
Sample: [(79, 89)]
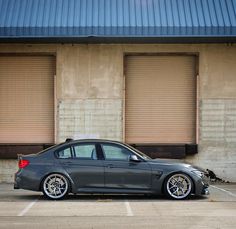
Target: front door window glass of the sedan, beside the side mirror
[(113, 152)]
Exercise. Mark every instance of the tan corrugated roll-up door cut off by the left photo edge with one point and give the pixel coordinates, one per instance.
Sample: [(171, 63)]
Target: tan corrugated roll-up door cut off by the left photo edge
[(27, 99)]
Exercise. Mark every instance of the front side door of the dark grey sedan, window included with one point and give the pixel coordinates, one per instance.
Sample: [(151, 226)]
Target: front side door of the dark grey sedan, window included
[(120, 173)]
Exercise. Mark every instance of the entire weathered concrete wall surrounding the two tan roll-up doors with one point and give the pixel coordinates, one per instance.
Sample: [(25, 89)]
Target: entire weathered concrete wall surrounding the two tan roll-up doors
[(90, 93)]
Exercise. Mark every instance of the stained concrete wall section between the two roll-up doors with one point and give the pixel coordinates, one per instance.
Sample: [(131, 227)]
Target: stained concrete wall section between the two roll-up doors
[(89, 92)]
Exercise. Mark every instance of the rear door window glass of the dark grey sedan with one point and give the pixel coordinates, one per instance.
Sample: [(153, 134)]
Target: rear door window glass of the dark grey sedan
[(85, 151)]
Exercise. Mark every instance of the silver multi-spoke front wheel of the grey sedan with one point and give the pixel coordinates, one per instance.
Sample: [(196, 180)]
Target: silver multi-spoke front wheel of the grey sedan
[(179, 186)]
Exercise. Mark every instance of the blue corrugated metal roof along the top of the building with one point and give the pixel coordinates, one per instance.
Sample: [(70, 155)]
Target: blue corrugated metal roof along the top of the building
[(117, 18)]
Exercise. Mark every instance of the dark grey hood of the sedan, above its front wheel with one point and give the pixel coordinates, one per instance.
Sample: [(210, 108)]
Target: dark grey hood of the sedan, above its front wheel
[(173, 162)]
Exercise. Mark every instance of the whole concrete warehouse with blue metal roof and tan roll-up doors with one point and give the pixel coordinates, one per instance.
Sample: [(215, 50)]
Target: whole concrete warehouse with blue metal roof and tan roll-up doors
[(160, 75)]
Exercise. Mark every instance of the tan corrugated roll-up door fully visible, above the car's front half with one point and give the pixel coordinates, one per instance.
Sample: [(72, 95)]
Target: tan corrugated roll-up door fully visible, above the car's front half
[(160, 105)]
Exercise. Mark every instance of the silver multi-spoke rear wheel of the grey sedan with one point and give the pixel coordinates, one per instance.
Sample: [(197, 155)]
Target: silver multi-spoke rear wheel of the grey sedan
[(55, 186)]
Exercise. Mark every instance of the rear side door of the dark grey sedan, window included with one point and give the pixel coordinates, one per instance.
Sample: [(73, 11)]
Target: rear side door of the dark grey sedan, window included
[(84, 167)]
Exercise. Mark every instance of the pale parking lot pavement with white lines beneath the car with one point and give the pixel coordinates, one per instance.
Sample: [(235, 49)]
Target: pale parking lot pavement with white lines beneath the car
[(26, 209)]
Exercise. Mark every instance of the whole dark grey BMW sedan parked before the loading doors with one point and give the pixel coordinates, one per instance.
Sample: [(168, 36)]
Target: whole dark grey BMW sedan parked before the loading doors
[(103, 166)]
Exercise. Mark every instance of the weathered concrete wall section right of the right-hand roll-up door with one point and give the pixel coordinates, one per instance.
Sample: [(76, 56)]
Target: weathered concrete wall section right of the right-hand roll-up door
[(218, 111)]
